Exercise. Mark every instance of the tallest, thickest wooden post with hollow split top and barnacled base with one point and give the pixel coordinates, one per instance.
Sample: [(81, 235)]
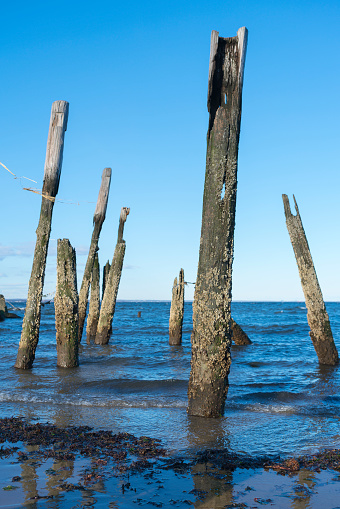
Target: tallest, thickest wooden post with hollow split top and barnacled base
[(211, 337)]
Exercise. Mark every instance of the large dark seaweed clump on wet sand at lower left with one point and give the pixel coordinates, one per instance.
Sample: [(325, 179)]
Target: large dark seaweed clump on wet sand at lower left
[(127, 451)]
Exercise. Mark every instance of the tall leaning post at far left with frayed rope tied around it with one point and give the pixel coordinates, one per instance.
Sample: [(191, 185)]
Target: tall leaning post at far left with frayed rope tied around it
[(53, 163)]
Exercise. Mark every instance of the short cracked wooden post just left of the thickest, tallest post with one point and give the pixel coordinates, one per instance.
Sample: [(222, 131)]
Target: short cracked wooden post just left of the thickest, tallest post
[(177, 311)]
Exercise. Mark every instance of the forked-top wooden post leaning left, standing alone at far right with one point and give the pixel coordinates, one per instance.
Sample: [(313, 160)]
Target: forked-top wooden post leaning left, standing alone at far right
[(318, 320)]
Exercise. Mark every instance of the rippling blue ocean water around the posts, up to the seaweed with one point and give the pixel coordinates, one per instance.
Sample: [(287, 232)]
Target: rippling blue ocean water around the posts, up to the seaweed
[(280, 399)]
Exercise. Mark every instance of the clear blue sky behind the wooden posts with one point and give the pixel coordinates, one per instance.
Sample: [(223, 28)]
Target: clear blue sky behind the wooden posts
[(135, 76)]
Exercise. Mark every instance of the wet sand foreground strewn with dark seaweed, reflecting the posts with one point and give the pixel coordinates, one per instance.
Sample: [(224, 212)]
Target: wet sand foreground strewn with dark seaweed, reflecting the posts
[(45, 466)]
